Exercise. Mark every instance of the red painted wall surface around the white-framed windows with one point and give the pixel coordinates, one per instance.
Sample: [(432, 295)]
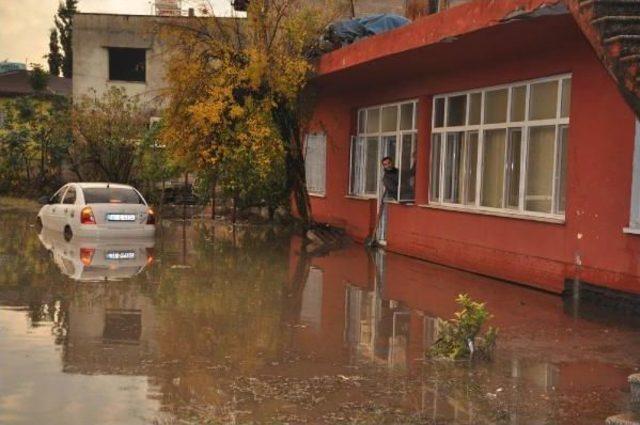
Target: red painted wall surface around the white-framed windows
[(589, 245)]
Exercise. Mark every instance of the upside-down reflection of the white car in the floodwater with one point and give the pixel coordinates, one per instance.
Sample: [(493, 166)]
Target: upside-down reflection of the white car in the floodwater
[(98, 260)]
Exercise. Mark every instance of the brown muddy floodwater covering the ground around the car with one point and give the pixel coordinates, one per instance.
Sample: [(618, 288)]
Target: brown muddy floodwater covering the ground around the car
[(205, 325)]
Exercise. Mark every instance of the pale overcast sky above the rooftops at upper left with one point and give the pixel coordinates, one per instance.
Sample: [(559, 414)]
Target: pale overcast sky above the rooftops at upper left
[(25, 24)]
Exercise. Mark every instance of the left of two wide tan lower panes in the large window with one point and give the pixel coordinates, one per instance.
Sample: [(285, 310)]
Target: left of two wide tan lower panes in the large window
[(493, 168)]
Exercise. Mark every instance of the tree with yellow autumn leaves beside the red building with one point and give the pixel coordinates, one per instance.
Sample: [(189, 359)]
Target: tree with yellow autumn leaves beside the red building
[(239, 94)]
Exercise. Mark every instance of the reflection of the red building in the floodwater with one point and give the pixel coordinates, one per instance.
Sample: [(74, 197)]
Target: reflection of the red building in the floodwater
[(384, 309)]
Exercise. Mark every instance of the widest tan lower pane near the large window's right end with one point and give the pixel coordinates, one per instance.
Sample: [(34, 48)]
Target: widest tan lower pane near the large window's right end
[(540, 169)]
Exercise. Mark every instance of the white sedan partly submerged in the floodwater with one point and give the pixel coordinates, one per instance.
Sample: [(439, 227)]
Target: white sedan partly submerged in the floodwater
[(97, 210)]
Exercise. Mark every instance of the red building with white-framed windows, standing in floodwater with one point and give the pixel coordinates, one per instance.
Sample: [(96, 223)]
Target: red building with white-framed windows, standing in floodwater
[(514, 133)]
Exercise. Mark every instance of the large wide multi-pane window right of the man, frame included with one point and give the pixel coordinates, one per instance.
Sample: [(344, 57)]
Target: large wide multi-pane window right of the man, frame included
[(502, 148)]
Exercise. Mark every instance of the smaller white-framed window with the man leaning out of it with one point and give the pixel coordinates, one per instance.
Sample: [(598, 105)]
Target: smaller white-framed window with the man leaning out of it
[(386, 130)]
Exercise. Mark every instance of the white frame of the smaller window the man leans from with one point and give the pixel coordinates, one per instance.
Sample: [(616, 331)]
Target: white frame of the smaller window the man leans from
[(357, 188)]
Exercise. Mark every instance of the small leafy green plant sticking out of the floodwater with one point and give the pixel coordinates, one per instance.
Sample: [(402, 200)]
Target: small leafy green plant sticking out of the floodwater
[(460, 338)]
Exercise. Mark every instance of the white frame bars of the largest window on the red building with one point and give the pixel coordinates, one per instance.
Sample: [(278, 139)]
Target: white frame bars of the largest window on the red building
[(558, 122)]
